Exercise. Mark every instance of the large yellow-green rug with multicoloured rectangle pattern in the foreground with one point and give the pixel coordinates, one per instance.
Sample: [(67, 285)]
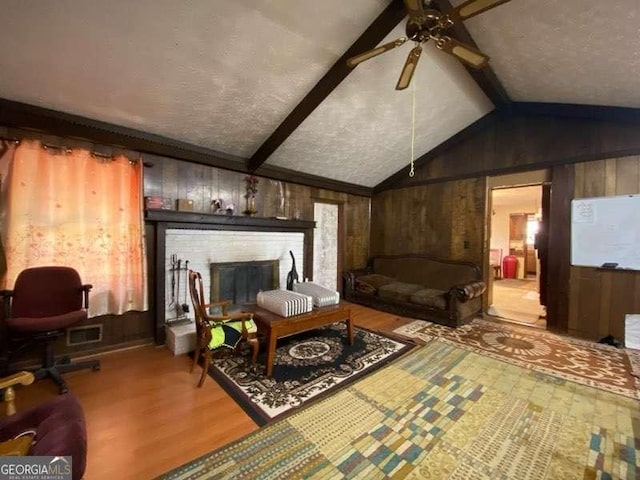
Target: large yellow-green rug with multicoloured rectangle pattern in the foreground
[(442, 412)]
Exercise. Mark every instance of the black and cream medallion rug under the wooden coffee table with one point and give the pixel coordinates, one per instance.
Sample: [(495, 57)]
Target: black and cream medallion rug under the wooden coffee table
[(306, 366)]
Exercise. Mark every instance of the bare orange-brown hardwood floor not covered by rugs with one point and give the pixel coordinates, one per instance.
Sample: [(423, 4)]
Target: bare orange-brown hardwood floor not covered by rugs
[(145, 414)]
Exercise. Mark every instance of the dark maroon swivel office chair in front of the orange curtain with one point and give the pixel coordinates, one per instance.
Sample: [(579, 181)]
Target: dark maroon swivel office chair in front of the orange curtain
[(43, 303)]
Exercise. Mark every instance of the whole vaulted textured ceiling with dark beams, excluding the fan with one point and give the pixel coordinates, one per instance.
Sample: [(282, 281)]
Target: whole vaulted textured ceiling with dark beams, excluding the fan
[(263, 83)]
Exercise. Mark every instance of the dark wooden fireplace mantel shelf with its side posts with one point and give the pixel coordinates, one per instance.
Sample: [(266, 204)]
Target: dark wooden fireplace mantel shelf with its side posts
[(162, 220)]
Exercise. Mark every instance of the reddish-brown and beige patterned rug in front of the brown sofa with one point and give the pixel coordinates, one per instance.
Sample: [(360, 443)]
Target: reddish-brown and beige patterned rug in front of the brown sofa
[(581, 361)]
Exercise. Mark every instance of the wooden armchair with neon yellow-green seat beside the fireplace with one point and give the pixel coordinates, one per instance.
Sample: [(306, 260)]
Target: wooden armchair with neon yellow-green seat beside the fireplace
[(214, 332)]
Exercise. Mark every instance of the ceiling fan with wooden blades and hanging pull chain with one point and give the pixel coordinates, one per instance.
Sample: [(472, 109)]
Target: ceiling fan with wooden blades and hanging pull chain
[(426, 24)]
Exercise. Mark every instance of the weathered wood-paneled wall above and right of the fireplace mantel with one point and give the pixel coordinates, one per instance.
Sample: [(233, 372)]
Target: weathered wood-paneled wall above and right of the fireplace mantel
[(178, 179)]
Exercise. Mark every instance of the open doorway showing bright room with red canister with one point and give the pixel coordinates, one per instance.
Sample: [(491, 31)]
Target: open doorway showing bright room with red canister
[(516, 214)]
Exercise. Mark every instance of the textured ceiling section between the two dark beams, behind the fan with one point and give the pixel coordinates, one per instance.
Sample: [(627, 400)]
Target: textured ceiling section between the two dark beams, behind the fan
[(362, 132)]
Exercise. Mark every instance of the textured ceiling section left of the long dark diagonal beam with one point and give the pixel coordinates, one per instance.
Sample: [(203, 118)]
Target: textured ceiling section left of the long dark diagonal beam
[(216, 73)]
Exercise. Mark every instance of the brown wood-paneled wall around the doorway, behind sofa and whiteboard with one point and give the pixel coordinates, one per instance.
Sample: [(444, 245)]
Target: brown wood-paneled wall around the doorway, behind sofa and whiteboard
[(444, 206)]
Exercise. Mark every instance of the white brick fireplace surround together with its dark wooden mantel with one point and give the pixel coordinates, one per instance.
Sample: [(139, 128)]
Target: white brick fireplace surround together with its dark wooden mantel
[(206, 239)]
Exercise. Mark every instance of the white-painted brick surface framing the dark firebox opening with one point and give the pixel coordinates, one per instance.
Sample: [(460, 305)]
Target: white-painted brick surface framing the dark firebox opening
[(202, 247)]
